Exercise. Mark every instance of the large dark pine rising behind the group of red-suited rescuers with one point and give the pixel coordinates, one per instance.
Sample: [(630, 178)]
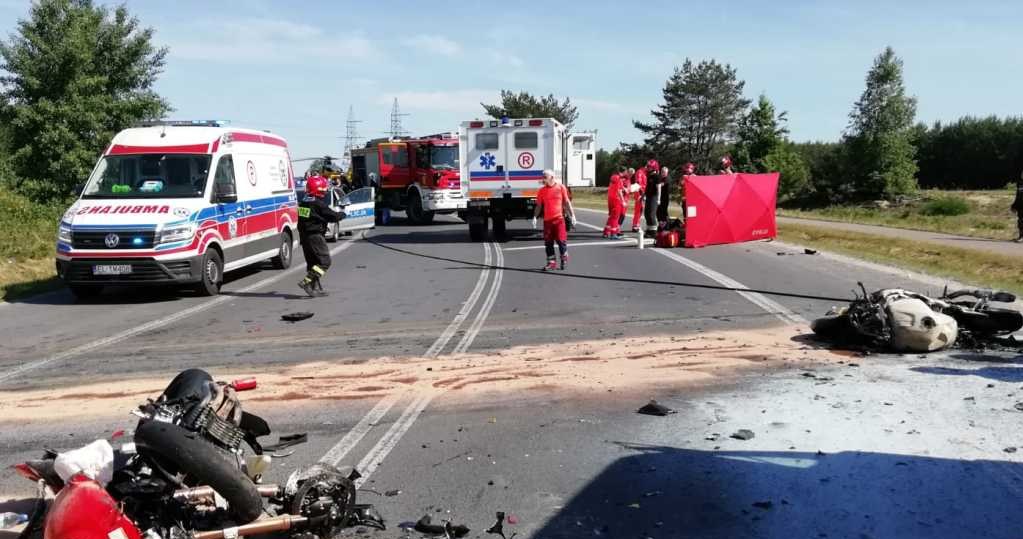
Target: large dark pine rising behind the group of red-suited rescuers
[(700, 115)]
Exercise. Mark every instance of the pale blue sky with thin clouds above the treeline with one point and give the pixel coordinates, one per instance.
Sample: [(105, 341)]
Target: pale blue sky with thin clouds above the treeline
[(295, 68)]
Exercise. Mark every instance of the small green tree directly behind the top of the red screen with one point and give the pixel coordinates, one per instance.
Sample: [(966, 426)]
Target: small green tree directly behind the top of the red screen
[(762, 132)]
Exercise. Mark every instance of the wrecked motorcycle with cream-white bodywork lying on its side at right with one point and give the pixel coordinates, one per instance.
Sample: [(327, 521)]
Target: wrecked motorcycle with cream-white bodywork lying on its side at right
[(899, 321)]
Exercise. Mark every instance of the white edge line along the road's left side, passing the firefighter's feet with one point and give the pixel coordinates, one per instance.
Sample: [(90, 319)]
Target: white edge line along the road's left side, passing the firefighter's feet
[(155, 325)]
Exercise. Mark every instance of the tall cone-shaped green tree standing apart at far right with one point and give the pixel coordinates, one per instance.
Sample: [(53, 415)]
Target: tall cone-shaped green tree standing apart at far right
[(879, 139)]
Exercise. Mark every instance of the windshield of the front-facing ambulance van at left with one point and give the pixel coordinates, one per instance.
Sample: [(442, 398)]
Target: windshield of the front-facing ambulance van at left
[(150, 176)]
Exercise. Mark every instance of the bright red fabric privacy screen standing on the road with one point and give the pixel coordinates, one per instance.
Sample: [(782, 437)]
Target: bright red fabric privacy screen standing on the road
[(730, 209)]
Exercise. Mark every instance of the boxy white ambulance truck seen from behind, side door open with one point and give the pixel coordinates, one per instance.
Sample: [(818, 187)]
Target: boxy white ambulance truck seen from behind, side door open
[(503, 164)]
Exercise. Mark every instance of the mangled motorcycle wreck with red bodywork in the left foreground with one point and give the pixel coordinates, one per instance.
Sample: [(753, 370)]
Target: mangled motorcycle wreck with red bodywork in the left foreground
[(194, 472)]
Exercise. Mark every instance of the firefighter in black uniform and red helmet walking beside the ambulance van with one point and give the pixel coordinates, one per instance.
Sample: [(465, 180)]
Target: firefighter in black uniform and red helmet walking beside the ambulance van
[(315, 215)]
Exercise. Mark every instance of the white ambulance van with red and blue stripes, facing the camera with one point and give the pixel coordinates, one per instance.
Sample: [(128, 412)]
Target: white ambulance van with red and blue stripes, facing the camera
[(180, 204)]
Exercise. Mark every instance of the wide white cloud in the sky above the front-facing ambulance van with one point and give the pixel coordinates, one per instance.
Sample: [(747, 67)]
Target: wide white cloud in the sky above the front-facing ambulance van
[(263, 40)]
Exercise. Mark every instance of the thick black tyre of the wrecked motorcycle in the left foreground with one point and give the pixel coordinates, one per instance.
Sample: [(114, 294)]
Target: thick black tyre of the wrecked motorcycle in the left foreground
[(202, 464)]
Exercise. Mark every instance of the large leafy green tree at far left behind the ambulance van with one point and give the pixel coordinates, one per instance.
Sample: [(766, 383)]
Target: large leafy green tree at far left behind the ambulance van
[(74, 75)]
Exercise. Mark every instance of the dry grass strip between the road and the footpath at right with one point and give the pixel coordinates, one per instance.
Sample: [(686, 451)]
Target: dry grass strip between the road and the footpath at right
[(975, 267)]
